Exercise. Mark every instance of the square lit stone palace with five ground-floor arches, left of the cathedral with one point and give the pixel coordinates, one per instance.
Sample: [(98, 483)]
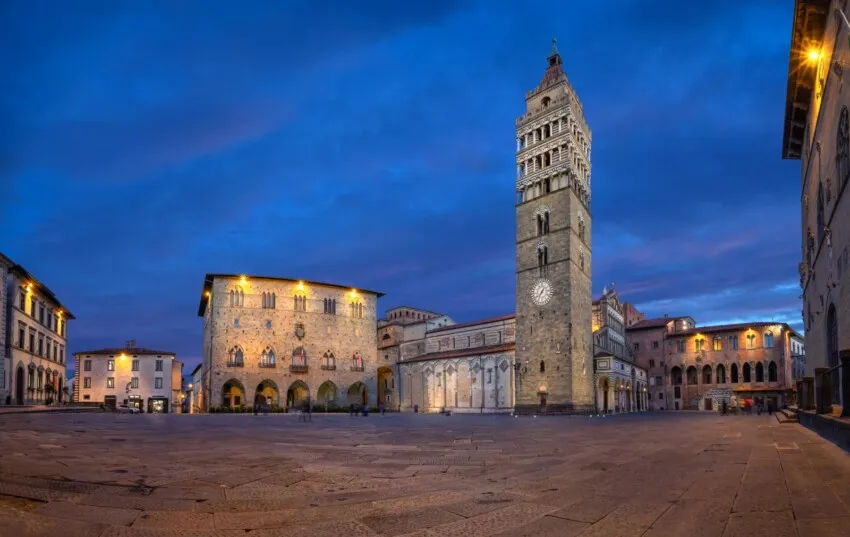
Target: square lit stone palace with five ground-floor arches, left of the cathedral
[(288, 341)]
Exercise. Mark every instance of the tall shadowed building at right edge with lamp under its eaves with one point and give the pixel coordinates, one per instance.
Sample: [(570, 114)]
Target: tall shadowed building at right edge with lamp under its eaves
[(817, 132)]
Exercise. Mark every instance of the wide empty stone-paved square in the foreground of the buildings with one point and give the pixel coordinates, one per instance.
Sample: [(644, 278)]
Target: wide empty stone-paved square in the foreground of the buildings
[(661, 474)]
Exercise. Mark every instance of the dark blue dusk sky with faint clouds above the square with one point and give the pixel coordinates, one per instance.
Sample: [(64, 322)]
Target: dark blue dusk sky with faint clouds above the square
[(372, 143)]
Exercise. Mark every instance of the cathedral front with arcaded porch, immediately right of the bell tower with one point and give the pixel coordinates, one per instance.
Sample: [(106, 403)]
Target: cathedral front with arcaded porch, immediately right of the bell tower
[(621, 386)]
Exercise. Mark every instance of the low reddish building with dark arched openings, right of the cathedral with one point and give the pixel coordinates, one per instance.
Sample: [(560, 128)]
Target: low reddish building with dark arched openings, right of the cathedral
[(700, 368)]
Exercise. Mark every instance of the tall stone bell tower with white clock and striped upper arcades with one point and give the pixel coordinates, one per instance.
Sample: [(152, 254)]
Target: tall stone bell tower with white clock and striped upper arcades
[(553, 250)]
